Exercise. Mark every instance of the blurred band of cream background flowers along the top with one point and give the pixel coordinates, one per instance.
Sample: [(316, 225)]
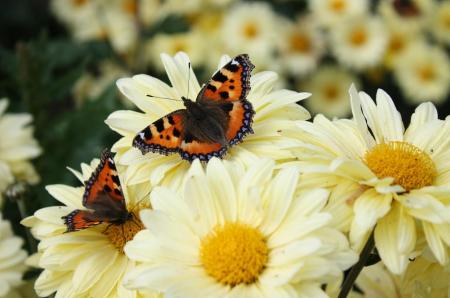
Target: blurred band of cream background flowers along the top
[(319, 50)]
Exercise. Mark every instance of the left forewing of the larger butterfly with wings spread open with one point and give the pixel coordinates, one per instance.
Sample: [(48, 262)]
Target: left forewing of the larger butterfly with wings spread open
[(163, 136)]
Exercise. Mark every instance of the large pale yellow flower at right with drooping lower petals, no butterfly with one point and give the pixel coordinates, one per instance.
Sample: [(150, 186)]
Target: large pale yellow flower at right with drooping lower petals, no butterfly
[(399, 177)]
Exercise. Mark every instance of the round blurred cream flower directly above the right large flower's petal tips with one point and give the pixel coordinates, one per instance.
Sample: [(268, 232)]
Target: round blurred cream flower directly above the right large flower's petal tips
[(360, 42)]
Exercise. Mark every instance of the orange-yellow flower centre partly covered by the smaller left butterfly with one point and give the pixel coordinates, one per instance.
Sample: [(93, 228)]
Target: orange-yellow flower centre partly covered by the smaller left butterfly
[(120, 234)]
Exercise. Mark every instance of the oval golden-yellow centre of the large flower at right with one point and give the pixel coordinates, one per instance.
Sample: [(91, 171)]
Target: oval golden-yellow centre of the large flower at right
[(410, 167)]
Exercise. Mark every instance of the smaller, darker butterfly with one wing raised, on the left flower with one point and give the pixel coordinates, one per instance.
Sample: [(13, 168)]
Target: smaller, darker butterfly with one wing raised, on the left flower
[(103, 196)]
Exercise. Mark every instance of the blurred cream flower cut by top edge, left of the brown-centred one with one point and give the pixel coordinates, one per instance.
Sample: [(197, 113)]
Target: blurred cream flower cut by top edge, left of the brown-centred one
[(332, 12)]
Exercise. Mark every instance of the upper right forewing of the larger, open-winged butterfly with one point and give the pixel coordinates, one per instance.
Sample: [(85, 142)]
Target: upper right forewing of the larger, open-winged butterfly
[(230, 83)]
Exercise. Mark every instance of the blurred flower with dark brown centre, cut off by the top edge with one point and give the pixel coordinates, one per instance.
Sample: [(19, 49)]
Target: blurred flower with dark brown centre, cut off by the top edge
[(410, 15)]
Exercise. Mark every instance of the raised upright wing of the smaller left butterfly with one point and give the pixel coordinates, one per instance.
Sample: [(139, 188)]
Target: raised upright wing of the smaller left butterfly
[(103, 189)]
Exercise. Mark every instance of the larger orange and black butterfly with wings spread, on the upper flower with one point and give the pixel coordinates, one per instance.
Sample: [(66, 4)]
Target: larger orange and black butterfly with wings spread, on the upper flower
[(220, 117)]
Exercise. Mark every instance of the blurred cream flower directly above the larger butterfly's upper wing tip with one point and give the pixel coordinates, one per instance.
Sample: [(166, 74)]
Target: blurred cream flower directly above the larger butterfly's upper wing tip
[(251, 28)]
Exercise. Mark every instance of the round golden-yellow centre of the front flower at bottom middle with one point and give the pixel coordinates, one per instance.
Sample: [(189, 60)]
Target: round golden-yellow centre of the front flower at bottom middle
[(234, 253)]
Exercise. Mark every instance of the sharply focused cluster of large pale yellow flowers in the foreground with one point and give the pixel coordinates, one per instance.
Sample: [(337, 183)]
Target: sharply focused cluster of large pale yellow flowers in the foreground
[(283, 213)]
